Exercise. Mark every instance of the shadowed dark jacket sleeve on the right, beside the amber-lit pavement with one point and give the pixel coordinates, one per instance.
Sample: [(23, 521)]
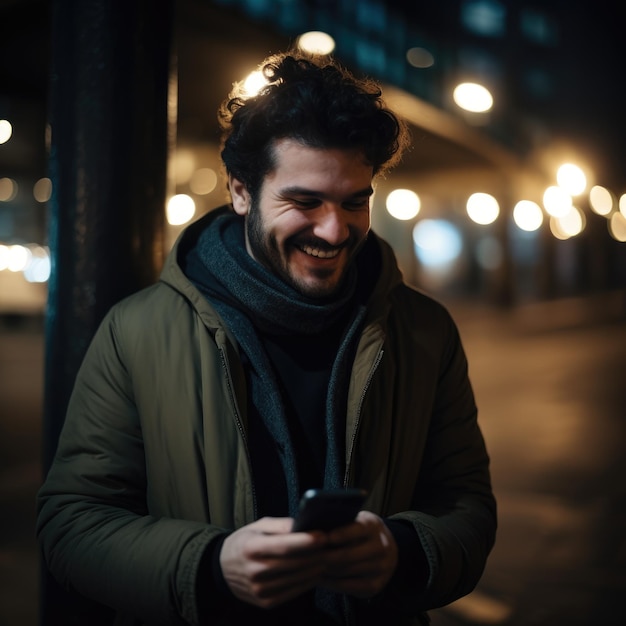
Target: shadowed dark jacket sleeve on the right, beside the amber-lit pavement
[(453, 509)]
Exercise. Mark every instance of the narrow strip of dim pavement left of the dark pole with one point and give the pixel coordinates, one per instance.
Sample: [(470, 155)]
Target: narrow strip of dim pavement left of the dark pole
[(21, 402)]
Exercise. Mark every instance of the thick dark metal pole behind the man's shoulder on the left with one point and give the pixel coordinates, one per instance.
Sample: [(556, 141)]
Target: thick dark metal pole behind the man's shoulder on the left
[(108, 157)]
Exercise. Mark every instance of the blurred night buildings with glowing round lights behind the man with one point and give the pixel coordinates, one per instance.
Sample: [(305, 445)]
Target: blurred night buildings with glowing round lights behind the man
[(481, 225)]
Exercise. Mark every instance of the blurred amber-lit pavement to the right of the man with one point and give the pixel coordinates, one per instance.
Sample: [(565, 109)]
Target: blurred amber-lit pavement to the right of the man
[(549, 382)]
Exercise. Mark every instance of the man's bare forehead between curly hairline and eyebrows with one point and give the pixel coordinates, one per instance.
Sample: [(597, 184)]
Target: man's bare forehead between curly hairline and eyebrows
[(296, 163)]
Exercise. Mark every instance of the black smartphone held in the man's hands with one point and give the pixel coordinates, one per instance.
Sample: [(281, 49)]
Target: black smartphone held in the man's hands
[(325, 509)]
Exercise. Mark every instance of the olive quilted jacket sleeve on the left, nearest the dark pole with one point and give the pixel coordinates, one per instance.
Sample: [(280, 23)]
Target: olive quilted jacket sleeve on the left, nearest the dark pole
[(93, 522)]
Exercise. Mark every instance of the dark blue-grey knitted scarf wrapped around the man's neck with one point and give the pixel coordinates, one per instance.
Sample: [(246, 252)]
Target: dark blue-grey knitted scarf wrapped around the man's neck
[(250, 300)]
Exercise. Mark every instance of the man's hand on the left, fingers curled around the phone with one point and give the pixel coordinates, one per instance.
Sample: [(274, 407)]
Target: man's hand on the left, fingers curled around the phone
[(266, 565)]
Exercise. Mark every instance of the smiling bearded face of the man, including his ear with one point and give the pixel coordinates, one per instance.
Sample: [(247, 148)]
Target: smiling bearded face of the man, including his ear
[(312, 215)]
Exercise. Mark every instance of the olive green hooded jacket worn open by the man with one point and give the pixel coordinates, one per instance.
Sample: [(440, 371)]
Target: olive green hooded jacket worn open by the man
[(153, 463)]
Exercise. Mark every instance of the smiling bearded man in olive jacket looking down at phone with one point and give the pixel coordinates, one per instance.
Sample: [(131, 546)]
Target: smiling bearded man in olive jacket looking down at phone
[(280, 351)]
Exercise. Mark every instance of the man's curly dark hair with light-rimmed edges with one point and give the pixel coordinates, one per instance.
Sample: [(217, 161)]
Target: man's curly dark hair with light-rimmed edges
[(314, 100)]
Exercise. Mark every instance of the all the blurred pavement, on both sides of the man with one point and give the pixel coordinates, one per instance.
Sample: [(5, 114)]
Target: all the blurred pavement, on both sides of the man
[(549, 382)]
